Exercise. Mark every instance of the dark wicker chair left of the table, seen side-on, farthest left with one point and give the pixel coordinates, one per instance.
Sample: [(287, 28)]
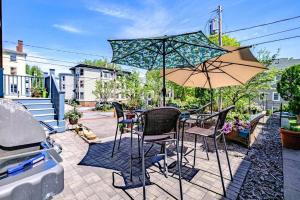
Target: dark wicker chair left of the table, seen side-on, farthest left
[(121, 120)]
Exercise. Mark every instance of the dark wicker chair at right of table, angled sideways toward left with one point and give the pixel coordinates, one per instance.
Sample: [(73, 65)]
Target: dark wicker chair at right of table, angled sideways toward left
[(215, 133)]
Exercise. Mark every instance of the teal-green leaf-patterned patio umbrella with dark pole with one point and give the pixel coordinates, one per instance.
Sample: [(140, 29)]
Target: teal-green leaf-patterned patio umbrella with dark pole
[(184, 50)]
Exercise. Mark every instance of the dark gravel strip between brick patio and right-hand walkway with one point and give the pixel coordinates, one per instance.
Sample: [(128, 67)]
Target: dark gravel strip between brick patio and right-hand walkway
[(265, 177)]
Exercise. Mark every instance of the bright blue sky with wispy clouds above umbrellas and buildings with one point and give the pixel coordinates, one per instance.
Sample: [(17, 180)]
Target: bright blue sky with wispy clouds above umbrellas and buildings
[(85, 25)]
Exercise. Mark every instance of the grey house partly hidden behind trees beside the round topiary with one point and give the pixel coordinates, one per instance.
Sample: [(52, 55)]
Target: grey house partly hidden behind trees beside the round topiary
[(271, 99)]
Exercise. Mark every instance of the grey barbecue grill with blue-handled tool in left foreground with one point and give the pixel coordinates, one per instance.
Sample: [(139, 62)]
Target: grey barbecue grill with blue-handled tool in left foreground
[(29, 159)]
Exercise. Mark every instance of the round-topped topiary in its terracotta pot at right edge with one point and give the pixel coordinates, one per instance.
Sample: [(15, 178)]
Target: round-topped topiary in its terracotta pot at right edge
[(289, 90)]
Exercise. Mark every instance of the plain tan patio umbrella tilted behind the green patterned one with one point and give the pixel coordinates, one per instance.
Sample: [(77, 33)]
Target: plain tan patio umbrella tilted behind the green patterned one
[(233, 68)]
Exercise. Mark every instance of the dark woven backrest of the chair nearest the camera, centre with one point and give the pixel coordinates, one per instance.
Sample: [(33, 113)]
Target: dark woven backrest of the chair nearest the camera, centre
[(159, 121)]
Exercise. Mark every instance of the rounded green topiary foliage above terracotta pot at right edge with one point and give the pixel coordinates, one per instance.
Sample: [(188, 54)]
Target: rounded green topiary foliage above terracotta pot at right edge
[(289, 87)]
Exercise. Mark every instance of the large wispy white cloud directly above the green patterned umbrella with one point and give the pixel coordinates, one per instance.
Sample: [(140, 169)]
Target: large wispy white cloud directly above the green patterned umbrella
[(152, 20)]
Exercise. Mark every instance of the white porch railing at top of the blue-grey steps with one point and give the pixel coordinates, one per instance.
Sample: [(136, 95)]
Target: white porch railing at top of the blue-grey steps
[(21, 86)]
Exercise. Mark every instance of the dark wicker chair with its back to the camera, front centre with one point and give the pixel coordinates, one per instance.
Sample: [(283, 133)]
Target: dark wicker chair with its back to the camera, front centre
[(160, 125)]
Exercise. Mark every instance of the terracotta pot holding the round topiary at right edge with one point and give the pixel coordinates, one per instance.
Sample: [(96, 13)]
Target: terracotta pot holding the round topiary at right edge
[(290, 139)]
